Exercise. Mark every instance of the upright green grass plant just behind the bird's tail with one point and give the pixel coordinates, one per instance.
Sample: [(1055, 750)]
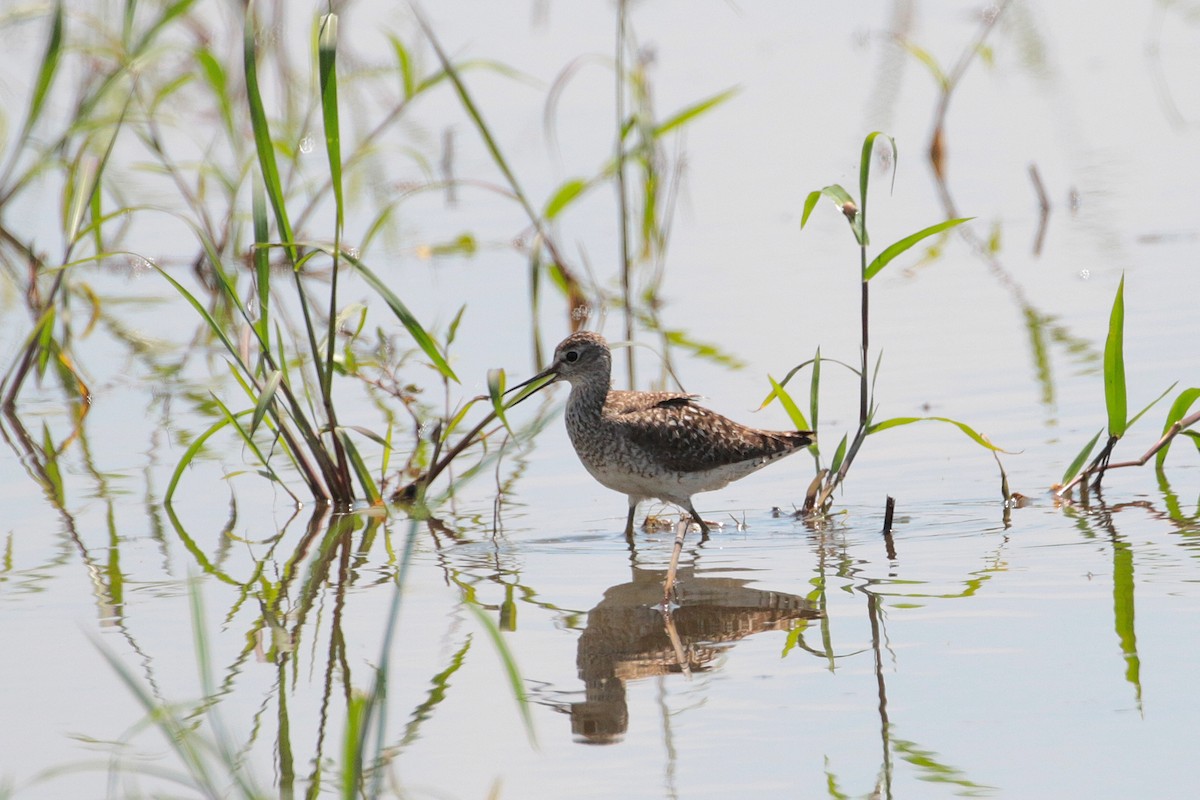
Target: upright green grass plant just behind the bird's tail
[(819, 497)]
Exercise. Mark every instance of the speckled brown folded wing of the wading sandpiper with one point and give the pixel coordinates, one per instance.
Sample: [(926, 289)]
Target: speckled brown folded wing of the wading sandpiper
[(688, 437)]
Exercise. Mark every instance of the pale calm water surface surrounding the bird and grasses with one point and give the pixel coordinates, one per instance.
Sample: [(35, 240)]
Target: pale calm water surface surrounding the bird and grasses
[(1045, 653)]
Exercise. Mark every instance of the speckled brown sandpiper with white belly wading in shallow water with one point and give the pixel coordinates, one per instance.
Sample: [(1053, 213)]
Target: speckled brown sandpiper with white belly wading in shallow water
[(655, 444)]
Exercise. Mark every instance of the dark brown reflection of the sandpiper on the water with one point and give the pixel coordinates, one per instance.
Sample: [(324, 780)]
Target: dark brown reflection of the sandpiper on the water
[(631, 637)]
